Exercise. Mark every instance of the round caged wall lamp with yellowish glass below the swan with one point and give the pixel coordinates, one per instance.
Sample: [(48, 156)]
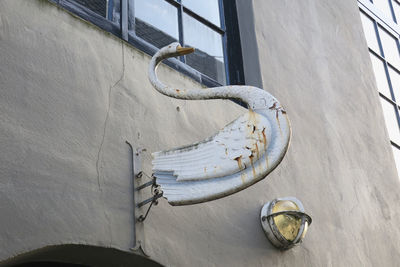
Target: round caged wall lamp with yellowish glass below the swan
[(284, 222)]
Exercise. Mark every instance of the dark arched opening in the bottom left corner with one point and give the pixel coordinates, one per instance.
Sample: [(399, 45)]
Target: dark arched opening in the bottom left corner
[(78, 256)]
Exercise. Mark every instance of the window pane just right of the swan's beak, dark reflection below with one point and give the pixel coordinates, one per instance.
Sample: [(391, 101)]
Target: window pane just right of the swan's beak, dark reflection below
[(208, 57)]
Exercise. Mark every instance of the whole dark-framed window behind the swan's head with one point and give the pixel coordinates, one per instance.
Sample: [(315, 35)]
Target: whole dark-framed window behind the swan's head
[(208, 25)]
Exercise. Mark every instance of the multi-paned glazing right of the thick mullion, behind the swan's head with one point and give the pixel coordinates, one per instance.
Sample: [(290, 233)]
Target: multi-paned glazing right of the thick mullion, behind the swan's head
[(161, 22)]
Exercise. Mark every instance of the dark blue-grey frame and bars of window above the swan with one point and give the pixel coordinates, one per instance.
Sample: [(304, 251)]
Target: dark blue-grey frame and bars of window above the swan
[(233, 60)]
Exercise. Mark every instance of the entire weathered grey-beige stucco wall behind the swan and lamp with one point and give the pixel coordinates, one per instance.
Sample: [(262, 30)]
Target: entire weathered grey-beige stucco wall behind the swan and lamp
[(71, 94)]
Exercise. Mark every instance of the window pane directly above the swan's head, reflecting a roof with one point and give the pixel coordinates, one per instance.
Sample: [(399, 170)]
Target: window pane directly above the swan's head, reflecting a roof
[(156, 22)]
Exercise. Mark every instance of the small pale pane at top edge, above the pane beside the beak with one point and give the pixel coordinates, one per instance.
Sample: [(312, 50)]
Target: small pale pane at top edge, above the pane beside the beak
[(209, 9)]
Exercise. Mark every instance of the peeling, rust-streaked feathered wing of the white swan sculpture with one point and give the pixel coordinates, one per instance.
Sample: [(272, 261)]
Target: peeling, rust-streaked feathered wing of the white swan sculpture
[(233, 149)]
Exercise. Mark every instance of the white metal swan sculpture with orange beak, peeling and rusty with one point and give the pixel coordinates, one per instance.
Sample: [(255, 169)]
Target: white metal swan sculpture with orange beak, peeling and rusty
[(239, 155)]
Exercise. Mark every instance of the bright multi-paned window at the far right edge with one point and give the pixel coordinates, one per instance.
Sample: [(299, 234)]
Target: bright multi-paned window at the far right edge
[(381, 23)]
